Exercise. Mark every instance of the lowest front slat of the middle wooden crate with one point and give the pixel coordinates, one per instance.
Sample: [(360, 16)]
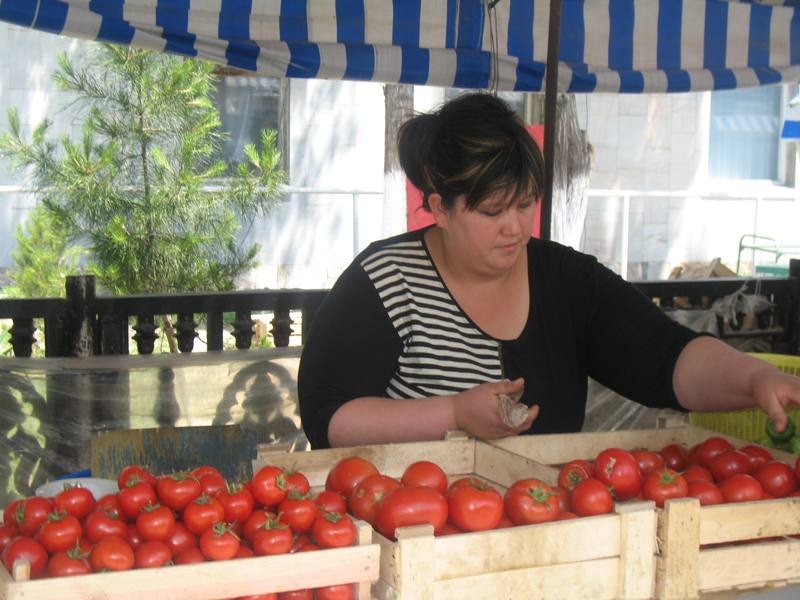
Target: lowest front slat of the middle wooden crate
[(593, 579)]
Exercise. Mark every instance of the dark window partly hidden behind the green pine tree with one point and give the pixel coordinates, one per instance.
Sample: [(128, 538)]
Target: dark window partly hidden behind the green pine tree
[(247, 104)]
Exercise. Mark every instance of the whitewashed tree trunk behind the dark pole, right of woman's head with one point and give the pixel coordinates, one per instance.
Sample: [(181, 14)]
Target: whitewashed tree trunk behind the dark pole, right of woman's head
[(572, 168)]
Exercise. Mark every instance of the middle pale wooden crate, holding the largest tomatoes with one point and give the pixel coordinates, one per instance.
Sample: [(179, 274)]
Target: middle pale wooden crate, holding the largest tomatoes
[(608, 556)]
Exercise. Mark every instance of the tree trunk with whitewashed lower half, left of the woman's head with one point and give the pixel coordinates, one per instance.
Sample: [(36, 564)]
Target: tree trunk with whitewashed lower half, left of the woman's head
[(399, 104)]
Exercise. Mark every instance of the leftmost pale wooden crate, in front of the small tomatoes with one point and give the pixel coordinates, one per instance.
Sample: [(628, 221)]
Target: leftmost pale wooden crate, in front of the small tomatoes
[(211, 580)]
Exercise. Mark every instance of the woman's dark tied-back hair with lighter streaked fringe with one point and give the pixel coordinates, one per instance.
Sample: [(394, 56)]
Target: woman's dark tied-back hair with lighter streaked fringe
[(474, 146)]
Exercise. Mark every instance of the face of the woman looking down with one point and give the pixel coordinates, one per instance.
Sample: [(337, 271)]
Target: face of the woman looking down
[(490, 238)]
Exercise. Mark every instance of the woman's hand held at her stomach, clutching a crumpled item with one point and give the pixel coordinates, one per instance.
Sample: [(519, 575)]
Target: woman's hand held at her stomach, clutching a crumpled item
[(477, 410)]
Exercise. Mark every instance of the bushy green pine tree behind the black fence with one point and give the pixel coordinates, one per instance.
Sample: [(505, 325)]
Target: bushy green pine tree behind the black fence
[(131, 190)]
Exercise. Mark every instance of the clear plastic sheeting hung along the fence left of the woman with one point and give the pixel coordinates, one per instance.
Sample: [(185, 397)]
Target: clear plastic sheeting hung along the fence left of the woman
[(49, 408)]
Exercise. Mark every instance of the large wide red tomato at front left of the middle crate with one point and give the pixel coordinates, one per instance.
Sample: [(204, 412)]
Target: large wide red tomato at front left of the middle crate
[(410, 506)]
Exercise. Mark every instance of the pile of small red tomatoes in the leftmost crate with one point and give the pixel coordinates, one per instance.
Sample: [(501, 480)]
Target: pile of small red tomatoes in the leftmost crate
[(180, 518)]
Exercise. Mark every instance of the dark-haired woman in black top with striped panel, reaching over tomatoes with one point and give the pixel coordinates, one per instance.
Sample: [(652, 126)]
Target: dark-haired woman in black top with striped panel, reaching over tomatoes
[(424, 332)]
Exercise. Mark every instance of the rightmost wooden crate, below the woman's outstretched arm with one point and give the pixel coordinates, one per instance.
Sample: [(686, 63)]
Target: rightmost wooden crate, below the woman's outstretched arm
[(688, 565)]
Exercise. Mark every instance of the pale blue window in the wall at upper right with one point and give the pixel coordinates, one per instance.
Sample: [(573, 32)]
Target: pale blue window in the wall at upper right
[(745, 129)]
